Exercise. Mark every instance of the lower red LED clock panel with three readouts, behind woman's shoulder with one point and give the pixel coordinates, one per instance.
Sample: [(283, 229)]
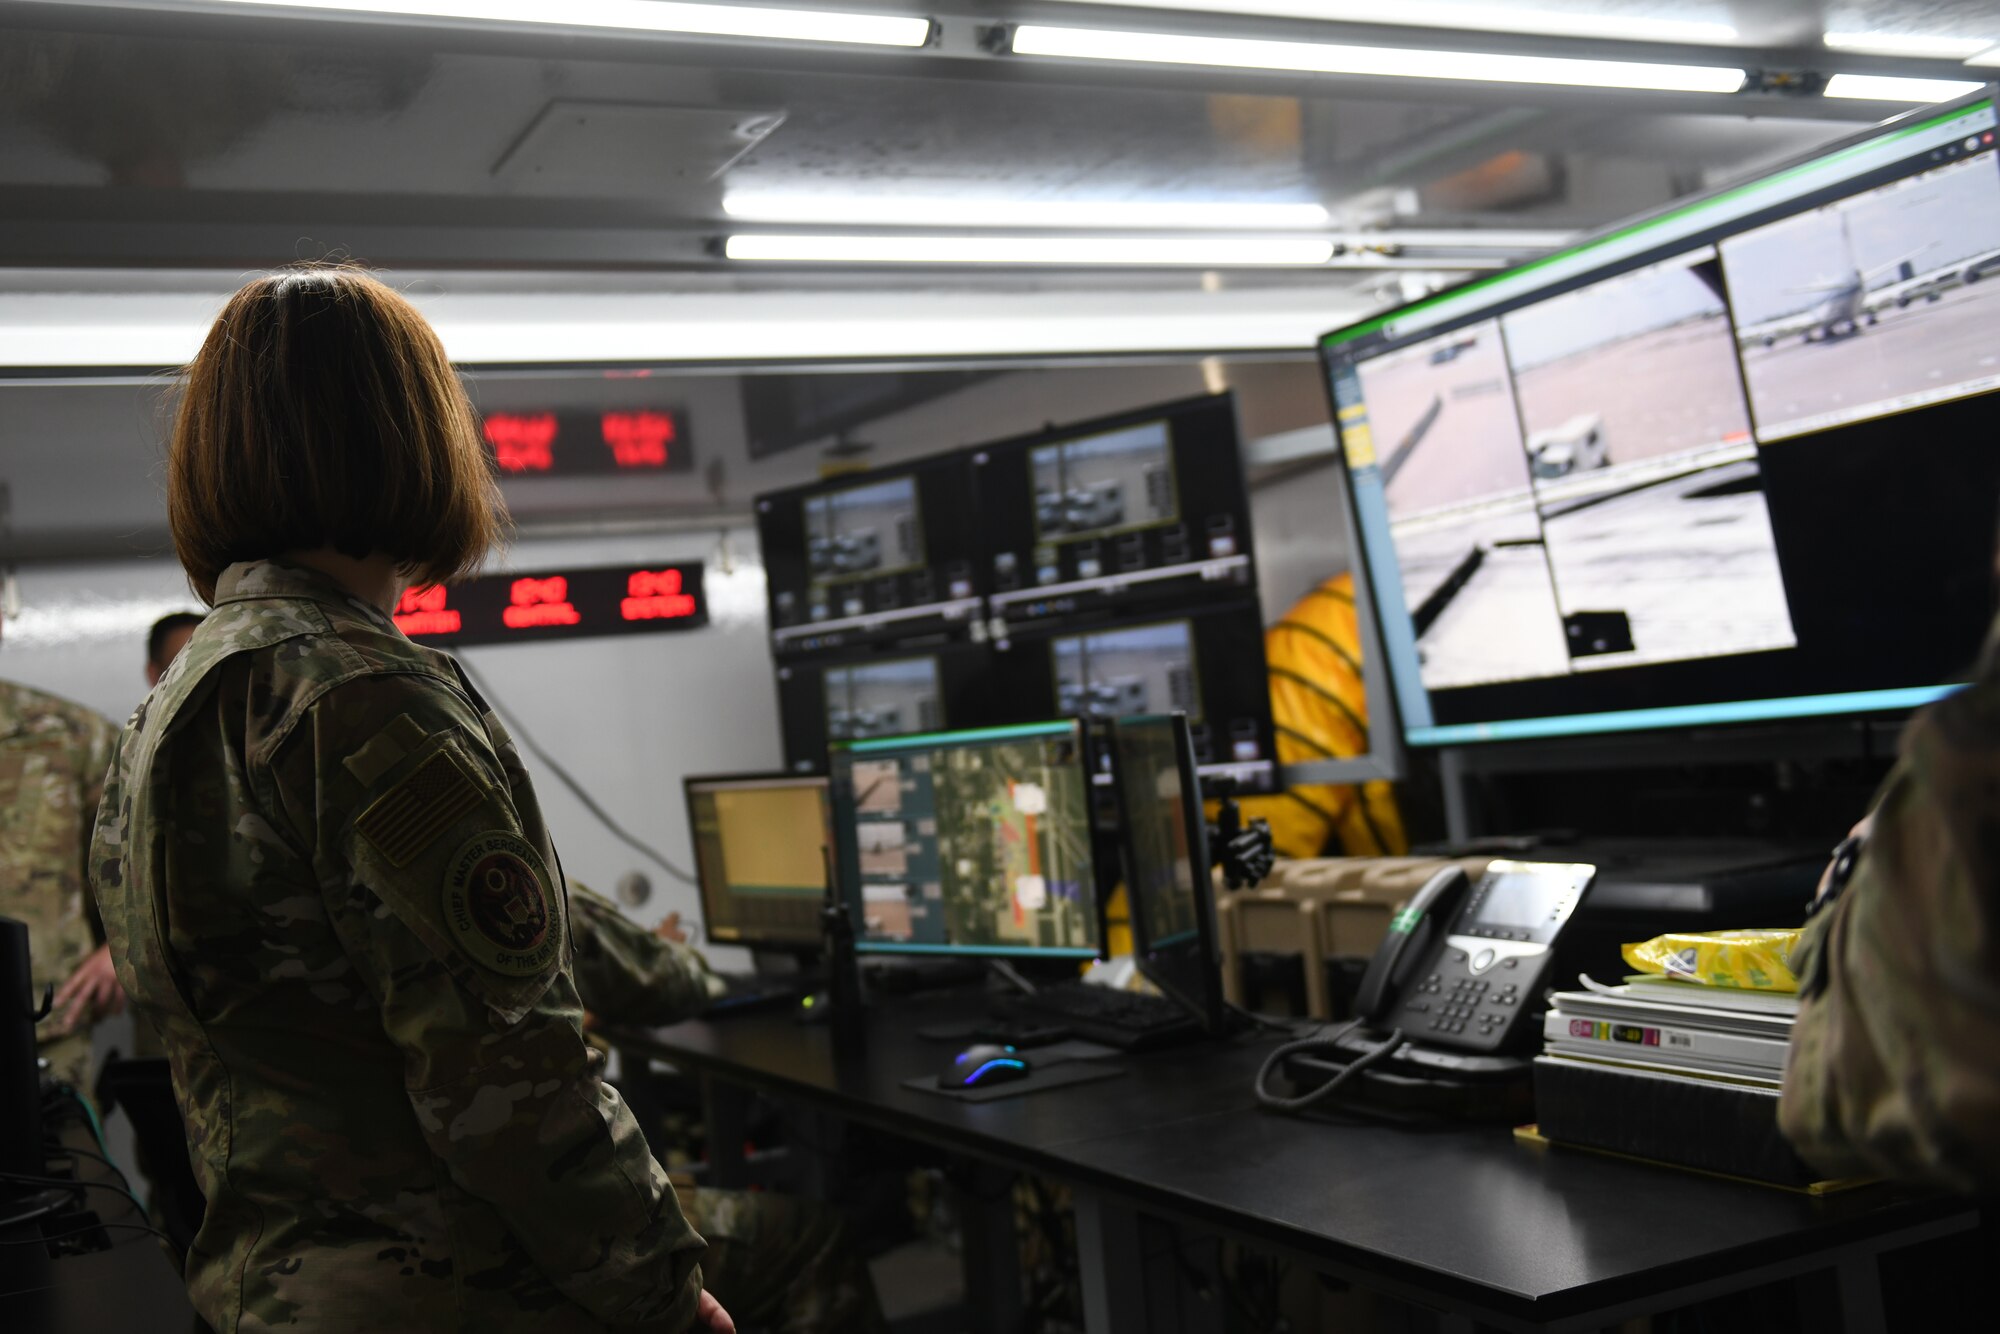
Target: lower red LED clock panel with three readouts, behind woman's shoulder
[(519, 609)]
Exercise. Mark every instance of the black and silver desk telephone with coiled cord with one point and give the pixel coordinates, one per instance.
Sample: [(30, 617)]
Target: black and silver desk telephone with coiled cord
[(1459, 979)]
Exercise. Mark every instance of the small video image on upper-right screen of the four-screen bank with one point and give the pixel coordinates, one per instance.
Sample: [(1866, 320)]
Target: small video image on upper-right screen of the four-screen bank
[(1109, 483)]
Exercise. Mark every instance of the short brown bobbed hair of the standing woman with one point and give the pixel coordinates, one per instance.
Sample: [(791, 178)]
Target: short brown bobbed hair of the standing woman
[(321, 411)]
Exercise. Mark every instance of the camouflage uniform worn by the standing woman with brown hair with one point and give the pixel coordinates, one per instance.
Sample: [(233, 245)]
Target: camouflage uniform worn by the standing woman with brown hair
[(329, 887)]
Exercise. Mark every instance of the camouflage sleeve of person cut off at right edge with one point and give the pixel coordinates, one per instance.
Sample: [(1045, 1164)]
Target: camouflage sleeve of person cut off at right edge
[(1893, 1065)]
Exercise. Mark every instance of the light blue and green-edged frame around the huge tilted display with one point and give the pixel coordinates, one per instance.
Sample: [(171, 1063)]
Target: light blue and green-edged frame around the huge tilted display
[(1631, 721)]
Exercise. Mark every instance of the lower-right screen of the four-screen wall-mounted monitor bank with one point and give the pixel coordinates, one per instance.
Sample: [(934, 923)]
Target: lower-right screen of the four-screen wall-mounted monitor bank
[(1207, 665)]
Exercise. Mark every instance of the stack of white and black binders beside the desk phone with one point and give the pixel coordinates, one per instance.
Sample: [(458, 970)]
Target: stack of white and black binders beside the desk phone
[(1671, 1071)]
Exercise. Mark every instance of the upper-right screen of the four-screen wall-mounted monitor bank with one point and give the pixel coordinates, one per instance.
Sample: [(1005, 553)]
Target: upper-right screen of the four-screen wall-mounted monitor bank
[(1143, 509)]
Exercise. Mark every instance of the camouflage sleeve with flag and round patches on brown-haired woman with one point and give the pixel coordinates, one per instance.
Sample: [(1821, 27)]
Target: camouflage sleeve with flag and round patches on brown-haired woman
[(455, 919)]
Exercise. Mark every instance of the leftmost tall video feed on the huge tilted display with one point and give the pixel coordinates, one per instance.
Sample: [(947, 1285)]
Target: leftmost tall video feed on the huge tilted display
[(1469, 541)]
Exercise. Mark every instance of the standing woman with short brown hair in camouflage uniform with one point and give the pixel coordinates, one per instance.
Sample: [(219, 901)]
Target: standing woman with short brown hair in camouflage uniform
[(329, 885)]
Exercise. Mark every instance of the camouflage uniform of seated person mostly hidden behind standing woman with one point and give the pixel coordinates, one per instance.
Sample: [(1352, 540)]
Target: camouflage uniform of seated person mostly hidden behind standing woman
[(775, 1263)]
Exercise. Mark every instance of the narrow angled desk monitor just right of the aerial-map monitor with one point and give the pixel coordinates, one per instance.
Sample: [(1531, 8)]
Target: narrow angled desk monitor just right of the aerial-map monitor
[(1169, 883)]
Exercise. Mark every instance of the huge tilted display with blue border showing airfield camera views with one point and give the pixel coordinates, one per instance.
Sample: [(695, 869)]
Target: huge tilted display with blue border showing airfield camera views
[(1725, 463)]
